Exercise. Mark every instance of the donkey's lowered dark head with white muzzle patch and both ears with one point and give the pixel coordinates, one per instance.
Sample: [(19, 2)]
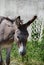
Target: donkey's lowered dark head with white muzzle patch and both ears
[(21, 34)]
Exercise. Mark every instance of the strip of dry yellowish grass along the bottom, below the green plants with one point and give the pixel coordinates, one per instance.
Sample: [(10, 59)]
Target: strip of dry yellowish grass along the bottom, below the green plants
[(31, 62)]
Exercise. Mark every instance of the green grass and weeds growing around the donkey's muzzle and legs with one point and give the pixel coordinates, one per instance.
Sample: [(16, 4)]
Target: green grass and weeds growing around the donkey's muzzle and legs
[(34, 55)]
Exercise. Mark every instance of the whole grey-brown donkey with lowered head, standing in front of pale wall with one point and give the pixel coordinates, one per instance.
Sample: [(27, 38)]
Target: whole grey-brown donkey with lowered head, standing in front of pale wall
[(10, 31)]
